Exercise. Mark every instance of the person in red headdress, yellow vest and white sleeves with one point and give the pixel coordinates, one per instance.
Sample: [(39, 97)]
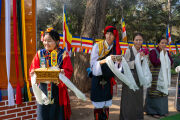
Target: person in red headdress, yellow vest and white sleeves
[(102, 76)]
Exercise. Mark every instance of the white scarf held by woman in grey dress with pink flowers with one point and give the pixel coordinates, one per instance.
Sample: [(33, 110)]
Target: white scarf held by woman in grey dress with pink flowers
[(143, 71)]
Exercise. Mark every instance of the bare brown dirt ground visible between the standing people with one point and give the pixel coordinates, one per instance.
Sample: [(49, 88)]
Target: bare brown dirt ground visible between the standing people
[(84, 110)]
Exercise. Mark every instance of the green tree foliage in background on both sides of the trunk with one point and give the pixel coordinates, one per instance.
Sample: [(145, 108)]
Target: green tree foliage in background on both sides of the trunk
[(147, 16)]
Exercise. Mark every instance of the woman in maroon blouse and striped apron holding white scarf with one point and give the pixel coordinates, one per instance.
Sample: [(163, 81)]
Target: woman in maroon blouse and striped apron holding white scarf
[(157, 95)]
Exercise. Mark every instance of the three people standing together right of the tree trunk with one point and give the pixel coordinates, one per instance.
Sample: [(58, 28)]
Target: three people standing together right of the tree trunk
[(132, 106)]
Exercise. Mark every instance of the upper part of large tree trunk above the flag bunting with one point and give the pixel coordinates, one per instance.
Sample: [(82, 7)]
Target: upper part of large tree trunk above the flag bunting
[(94, 19)]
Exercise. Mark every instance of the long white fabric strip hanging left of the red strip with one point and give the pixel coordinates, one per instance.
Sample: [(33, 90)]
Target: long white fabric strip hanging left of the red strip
[(8, 49)]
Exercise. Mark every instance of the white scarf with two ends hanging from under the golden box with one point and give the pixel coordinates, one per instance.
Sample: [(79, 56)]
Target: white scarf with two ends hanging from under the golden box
[(41, 98)]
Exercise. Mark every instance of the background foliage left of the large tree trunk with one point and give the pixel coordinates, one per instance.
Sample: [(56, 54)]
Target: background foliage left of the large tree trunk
[(50, 14)]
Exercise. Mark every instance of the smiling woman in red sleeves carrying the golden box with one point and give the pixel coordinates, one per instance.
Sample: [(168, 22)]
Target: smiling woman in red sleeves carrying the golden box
[(59, 106)]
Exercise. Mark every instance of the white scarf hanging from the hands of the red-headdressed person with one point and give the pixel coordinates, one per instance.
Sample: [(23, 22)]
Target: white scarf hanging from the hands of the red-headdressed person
[(127, 77)]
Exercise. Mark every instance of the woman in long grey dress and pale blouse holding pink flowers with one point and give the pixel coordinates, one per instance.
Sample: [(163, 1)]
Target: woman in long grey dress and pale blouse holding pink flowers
[(132, 101)]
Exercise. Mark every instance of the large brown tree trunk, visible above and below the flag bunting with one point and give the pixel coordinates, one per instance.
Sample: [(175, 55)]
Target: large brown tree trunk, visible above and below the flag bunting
[(93, 25)]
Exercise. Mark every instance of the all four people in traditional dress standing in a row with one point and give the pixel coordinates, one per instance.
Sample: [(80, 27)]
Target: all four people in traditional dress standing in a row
[(103, 78)]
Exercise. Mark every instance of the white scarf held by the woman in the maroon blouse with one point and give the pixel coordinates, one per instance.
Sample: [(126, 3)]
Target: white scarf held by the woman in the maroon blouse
[(164, 77)]
